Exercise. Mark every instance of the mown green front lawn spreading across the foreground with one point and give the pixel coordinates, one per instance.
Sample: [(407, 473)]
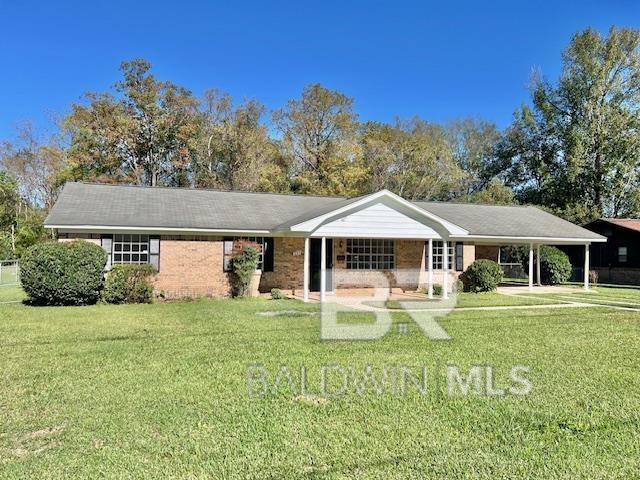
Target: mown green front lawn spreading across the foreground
[(160, 391)]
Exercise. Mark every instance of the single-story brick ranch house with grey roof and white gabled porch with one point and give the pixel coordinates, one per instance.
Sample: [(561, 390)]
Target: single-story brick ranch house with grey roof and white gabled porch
[(309, 243)]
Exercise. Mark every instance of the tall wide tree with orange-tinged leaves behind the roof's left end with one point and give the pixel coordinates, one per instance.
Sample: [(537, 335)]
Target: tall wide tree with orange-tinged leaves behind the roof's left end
[(146, 134)]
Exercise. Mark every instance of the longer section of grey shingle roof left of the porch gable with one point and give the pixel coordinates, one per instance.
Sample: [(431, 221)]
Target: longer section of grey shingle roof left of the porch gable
[(130, 206)]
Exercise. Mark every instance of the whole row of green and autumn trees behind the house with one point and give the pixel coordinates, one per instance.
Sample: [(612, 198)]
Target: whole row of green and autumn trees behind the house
[(573, 148)]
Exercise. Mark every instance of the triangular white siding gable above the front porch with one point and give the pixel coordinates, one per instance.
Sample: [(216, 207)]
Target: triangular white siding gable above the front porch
[(376, 221)]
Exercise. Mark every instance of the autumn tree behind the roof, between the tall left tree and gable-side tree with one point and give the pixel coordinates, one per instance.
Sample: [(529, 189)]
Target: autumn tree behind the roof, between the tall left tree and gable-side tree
[(235, 151)]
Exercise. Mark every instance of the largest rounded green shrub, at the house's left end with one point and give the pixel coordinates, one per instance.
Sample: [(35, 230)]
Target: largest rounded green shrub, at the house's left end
[(63, 273)]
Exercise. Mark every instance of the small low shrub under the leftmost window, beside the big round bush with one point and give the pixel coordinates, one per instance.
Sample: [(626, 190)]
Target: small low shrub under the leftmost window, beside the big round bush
[(129, 284)]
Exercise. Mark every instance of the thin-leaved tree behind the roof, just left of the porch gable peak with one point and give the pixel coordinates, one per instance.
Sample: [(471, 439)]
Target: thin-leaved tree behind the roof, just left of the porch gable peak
[(317, 134)]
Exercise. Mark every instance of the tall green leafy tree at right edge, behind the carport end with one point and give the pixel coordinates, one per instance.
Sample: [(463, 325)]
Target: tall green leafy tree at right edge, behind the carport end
[(577, 150)]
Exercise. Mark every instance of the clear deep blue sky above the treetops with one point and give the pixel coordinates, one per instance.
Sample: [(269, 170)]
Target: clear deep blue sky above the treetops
[(439, 60)]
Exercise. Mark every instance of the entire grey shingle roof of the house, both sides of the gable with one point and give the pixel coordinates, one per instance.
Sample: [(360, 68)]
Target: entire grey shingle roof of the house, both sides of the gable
[(96, 205)]
